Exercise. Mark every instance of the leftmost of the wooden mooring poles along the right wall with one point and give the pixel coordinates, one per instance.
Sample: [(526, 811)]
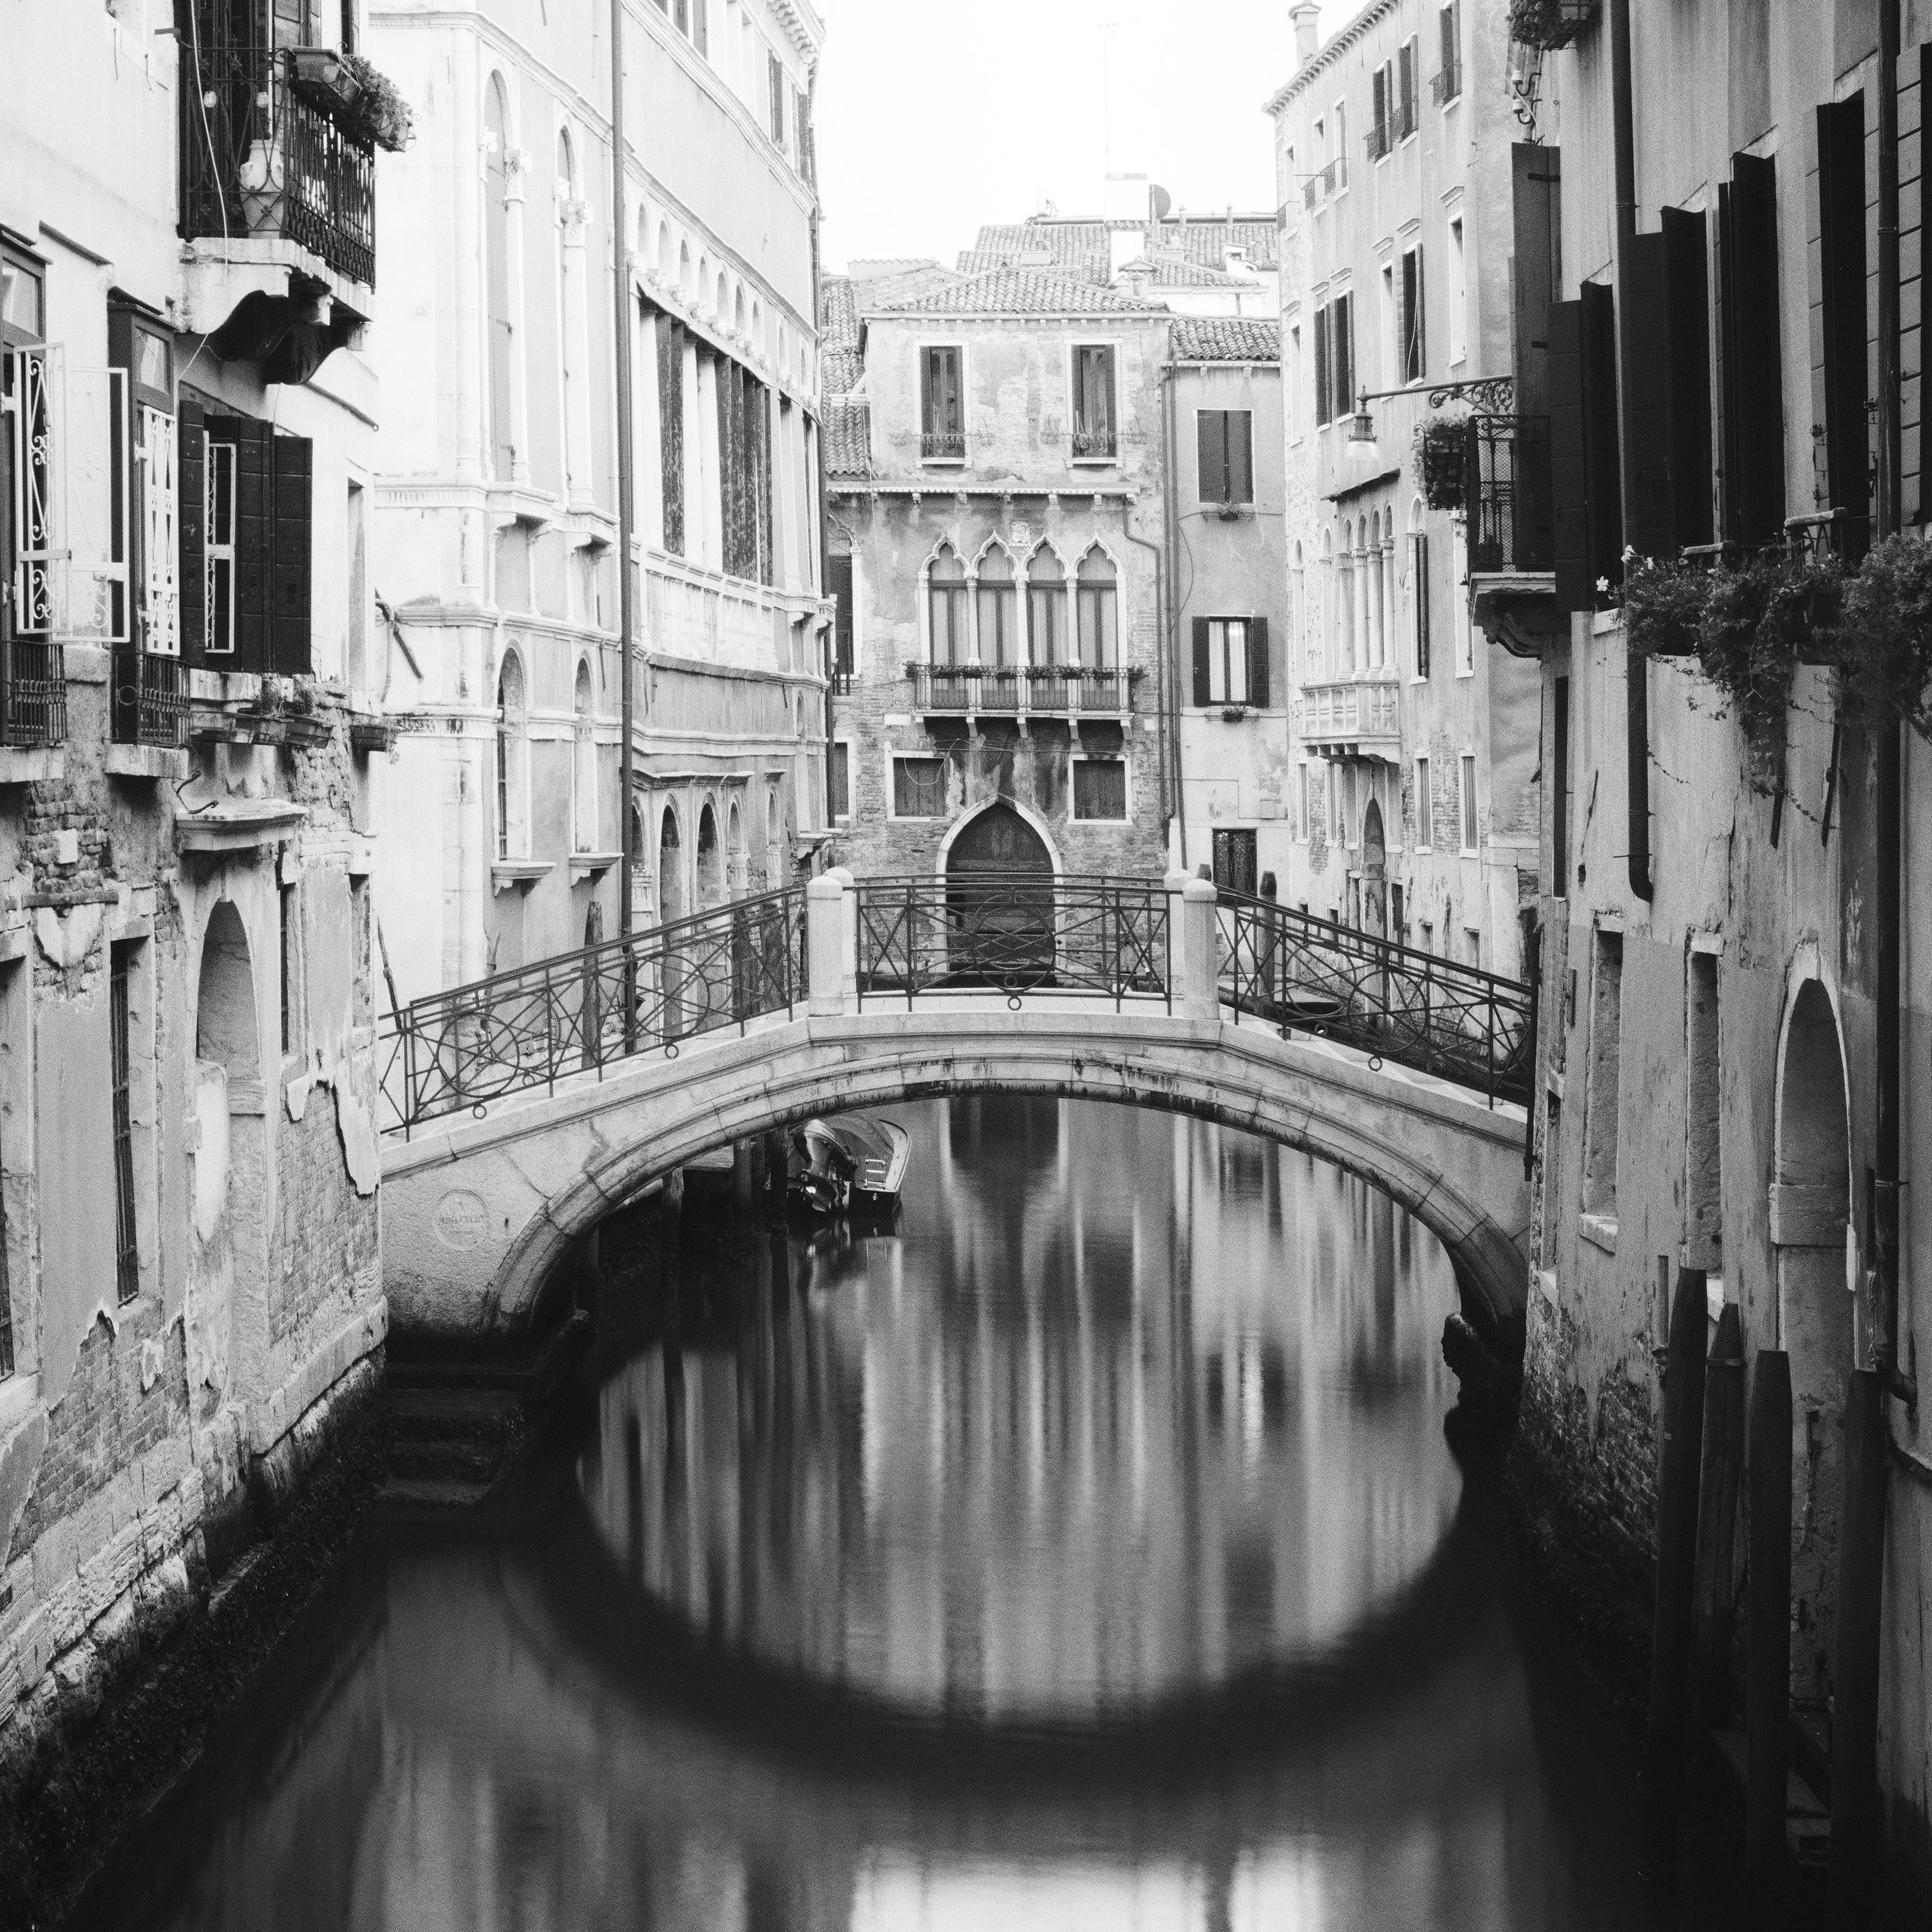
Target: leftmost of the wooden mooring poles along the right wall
[(1678, 1485)]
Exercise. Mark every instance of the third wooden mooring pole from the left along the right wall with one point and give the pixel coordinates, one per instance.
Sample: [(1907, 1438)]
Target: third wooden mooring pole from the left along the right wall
[(1769, 1610)]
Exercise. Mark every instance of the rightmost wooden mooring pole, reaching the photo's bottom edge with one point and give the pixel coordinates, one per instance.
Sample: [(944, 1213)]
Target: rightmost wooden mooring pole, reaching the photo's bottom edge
[(1858, 1827)]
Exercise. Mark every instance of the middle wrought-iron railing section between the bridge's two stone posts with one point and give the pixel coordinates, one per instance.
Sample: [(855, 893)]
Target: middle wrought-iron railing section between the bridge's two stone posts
[(1013, 934)]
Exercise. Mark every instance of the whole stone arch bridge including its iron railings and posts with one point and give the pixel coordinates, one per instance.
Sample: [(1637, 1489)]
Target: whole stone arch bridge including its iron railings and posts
[(526, 1108)]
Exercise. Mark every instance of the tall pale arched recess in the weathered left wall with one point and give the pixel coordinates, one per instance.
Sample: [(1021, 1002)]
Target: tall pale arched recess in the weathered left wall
[(229, 1266)]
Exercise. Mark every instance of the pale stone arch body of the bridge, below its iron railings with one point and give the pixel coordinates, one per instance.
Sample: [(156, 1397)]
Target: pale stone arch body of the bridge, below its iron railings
[(480, 1210)]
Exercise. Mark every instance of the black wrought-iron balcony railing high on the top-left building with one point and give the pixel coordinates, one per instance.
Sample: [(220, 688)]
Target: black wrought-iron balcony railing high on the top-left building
[(264, 157)]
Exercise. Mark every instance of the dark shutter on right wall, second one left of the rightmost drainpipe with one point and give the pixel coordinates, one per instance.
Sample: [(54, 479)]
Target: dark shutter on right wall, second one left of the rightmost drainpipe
[(1753, 378)]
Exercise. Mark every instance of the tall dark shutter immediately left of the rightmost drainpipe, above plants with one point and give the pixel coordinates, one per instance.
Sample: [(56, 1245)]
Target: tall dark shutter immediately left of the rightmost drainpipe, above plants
[(1842, 302)]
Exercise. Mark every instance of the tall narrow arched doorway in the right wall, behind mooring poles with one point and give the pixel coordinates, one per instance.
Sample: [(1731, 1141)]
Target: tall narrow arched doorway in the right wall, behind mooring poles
[(1811, 1224)]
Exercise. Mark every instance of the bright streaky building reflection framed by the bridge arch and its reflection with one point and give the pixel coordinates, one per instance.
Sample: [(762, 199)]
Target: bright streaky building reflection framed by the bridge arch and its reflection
[(1127, 1406)]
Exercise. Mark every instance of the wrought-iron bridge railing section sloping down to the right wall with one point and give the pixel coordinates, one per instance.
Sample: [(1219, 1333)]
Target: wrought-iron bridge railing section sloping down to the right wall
[(1417, 1009)]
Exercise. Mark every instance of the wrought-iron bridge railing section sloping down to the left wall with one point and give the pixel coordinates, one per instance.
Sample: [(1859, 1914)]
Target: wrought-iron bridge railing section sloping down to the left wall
[(592, 1009)]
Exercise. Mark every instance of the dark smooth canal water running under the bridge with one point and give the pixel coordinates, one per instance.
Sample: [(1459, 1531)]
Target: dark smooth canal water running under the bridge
[(1079, 1552)]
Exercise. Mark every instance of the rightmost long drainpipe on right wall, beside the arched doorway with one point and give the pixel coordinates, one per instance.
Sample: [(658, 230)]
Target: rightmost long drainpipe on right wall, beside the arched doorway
[(1887, 1179)]
